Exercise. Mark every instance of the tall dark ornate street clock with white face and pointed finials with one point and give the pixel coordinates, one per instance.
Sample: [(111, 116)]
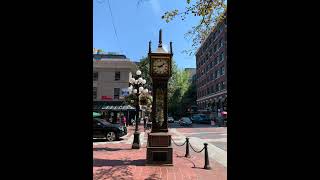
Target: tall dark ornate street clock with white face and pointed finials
[(159, 149)]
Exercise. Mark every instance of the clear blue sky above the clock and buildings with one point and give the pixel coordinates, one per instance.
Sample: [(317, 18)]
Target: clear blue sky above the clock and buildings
[(137, 24)]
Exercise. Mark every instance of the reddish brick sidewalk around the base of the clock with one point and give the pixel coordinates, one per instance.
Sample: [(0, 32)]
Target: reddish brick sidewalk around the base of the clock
[(119, 161)]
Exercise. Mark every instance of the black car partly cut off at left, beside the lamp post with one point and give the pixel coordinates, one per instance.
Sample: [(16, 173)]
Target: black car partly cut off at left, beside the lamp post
[(104, 129)]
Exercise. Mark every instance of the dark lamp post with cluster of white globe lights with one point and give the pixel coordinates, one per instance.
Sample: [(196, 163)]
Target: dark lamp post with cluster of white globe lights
[(136, 87)]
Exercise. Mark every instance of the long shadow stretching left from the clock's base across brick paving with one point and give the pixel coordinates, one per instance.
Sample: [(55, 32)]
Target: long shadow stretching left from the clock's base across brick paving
[(106, 162)]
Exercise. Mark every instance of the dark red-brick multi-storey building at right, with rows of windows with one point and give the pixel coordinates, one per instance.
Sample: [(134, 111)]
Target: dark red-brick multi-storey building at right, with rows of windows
[(211, 70)]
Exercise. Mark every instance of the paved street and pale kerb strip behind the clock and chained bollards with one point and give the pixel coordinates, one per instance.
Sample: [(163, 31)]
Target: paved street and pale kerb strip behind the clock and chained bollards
[(216, 137)]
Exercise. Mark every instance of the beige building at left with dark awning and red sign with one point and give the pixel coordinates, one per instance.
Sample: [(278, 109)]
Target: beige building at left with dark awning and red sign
[(111, 75)]
